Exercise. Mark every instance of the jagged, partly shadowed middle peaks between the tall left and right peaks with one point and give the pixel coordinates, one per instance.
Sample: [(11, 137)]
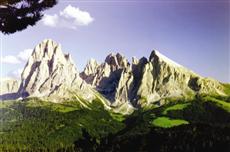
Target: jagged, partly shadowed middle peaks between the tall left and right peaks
[(105, 76)]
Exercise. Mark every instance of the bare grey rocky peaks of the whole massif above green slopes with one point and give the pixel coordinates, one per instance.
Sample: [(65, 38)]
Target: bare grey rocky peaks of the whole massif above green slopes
[(50, 73)]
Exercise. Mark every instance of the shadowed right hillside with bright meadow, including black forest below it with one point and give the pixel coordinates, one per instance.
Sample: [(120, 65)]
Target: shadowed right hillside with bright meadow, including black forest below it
[(203, 126)]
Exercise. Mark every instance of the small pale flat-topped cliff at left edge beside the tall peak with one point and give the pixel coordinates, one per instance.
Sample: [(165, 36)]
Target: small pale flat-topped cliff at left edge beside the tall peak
[(9, 85)]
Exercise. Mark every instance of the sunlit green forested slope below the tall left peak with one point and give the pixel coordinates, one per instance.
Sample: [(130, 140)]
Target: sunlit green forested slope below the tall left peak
[(43, 125)]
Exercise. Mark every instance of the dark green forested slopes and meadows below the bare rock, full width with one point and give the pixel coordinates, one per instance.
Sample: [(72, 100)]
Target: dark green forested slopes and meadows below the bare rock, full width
[(200, 124)]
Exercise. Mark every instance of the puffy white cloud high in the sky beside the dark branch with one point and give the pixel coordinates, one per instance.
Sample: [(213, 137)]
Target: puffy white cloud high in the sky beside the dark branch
[(71, 17)]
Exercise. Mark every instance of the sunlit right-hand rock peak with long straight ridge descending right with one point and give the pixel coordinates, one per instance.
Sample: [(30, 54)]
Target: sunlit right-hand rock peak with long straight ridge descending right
[(163, 78)]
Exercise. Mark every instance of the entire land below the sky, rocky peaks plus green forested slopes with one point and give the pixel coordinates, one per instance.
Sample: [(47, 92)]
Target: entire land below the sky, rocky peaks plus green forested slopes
[(148, 104)]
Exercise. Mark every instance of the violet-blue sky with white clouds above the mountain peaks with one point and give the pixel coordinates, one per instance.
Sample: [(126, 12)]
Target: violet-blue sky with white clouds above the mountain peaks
[(193, 33)]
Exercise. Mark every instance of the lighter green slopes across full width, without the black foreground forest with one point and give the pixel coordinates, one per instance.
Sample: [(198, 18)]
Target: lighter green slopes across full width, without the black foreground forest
[(36, 124)]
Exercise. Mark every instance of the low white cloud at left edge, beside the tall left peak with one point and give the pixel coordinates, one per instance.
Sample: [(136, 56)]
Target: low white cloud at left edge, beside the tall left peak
[(18, 59)]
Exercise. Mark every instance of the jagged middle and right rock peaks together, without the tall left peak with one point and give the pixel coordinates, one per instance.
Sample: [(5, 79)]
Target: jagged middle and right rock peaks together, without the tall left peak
[(148, 81)]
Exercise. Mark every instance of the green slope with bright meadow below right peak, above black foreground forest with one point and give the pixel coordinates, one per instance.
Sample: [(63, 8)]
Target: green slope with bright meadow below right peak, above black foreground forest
[(197, 111)]
